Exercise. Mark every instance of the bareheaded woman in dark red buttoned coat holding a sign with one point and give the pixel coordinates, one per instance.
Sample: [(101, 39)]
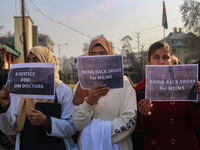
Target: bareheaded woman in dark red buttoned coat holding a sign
[(166, 125)]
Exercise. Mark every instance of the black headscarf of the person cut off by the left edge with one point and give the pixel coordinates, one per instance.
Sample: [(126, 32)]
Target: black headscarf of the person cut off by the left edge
[(3, 73)]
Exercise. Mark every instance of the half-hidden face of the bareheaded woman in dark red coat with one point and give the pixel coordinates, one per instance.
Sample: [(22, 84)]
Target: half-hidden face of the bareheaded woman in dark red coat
[(160, 57)]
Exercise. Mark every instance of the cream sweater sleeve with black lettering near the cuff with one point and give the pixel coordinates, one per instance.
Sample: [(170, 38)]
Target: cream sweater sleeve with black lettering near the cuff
[(125, 124)]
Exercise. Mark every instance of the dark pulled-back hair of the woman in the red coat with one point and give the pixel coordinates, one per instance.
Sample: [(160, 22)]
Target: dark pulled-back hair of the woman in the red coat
[(158, 45)]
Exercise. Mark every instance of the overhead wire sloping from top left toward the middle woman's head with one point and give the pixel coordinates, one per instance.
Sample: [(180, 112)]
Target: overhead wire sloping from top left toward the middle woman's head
[(58, 21)]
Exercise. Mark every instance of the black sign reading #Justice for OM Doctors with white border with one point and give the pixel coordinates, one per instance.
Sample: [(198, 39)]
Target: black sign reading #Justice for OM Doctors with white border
[(32, 80)]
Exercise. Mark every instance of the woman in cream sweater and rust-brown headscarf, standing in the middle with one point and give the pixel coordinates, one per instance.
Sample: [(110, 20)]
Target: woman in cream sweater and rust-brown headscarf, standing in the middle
[(117, 106)]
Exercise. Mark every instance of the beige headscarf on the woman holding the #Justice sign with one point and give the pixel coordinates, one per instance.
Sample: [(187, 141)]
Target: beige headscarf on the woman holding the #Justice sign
[(25, 104)]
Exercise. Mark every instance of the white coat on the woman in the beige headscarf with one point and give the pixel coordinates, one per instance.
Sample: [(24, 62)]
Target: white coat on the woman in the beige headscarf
[(62, 127)]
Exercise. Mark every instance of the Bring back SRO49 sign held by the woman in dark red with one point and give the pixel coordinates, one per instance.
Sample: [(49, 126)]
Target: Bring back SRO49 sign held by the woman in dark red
[(171, 82)]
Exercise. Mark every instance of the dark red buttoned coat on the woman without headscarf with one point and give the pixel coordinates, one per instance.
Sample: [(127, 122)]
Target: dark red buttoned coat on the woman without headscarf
[(171, 125)]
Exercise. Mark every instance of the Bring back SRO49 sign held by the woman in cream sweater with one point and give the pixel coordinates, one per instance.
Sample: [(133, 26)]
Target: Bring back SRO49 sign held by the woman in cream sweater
[(101, 69)]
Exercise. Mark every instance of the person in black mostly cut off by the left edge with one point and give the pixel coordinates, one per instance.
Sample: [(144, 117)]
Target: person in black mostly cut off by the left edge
[(6, 142)]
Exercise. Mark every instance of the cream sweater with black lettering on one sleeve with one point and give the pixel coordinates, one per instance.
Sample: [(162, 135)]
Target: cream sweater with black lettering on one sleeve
[(118, 106)]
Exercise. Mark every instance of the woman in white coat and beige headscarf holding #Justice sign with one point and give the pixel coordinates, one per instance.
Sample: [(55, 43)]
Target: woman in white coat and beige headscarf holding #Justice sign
[(18, 115)]
